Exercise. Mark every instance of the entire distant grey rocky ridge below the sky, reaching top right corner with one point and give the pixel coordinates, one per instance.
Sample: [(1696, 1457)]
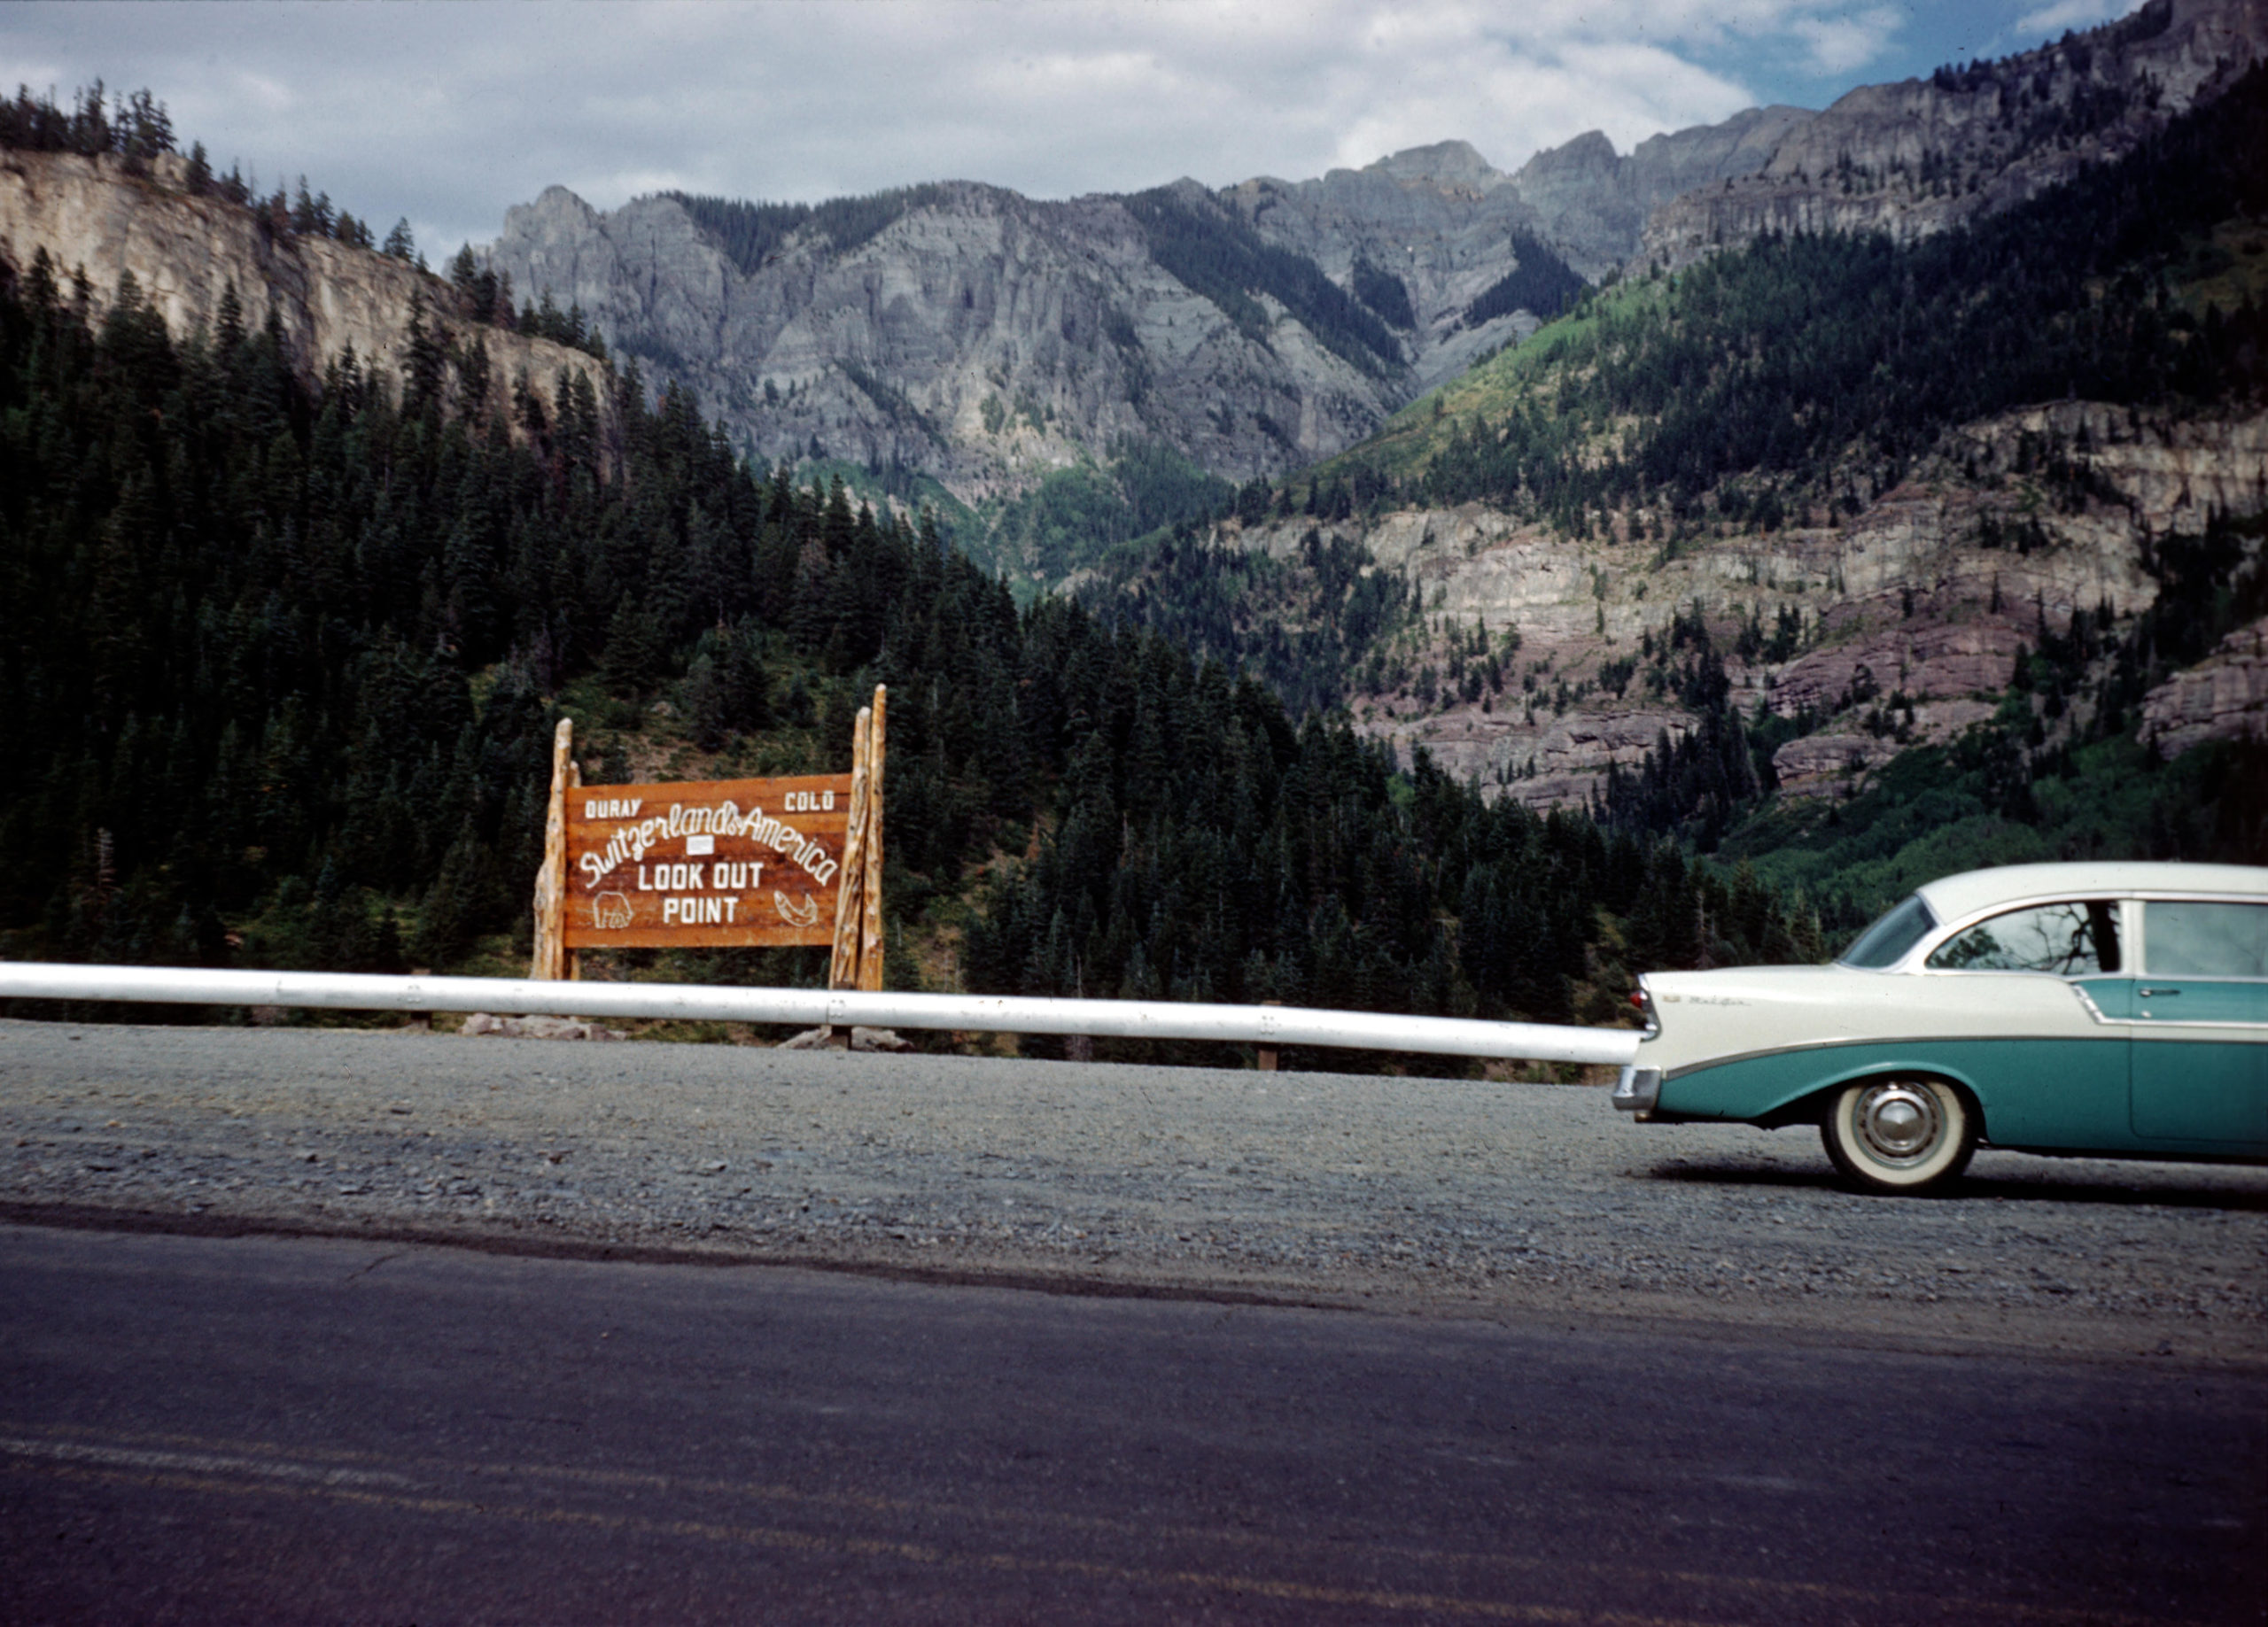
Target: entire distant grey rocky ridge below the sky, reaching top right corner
[(1019, 337)]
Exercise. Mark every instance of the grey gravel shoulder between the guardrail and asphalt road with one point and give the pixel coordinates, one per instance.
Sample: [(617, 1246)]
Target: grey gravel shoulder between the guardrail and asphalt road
[(1432, 1198)]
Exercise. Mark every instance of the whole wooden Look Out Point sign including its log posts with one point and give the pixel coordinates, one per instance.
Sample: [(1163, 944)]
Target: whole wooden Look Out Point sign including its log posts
[(718, 864)]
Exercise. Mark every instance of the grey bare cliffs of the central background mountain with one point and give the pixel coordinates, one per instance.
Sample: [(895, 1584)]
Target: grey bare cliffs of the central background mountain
[(988, 339)]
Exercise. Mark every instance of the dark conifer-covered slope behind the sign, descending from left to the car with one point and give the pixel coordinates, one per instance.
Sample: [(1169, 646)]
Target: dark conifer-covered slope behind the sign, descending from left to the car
[(285, 663)]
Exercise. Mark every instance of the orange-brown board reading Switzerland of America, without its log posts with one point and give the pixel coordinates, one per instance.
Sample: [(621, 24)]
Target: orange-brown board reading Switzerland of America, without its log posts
[(706, 864)]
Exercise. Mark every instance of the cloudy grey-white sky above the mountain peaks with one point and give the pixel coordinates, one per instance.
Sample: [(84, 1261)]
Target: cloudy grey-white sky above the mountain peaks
[(448, 114)]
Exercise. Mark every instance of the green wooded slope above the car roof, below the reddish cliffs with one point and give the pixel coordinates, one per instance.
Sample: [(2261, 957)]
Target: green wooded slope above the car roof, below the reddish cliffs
[(2056, 774)]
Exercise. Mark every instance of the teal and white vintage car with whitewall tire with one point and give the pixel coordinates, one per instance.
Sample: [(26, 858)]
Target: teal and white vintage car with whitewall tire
[(2106, 1010)]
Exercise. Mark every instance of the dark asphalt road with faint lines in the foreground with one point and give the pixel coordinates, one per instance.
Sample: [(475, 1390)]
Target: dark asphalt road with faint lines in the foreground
[(316, 1429)]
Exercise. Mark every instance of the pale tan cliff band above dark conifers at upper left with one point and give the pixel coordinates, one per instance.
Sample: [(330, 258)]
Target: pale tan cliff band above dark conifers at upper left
[(185, 253)]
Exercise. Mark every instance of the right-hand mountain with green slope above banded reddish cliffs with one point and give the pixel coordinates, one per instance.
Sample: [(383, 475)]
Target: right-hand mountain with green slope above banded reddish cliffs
[(1831, 493)]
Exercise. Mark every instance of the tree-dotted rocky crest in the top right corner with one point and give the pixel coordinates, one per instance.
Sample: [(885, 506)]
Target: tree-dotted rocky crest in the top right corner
[(1924, 155)]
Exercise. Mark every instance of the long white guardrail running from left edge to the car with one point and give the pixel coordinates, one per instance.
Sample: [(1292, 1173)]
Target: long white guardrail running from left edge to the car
[(838, 1007)]
